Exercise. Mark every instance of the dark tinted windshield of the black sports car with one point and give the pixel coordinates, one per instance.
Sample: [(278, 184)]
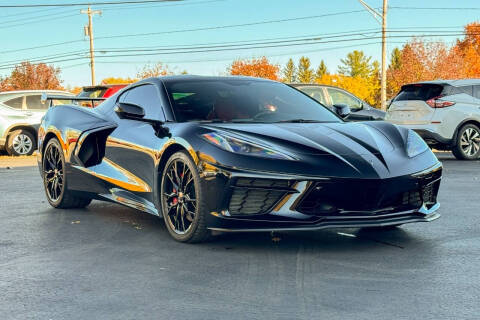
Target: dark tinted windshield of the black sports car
[(239, 100)]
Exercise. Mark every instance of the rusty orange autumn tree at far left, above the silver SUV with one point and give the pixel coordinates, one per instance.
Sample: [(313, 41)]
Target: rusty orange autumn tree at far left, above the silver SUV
[(28, 76)]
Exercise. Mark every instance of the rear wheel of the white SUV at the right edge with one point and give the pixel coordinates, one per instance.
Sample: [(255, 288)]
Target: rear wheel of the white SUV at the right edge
[(467, 146)]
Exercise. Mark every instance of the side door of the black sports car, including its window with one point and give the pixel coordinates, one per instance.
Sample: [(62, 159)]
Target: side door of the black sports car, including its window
[(132, 148)]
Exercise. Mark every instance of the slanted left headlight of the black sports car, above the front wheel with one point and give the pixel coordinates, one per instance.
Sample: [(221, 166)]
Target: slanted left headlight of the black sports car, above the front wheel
[(238, 145)]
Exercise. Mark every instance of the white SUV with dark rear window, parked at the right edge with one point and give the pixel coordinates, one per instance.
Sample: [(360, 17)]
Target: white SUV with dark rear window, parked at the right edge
[(445, 113)]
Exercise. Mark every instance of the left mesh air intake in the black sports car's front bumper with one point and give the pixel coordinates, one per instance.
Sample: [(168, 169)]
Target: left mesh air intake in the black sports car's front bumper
[(256, 196)]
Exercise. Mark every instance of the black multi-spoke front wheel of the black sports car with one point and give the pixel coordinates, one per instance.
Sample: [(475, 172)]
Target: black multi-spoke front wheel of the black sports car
[(181, 200)]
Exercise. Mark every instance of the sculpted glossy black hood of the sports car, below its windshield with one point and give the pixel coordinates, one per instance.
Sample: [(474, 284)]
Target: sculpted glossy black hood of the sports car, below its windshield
[(370, 149)]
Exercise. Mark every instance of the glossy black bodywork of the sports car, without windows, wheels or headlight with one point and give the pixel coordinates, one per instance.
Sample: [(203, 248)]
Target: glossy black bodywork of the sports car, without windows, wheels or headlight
[(341, 174)]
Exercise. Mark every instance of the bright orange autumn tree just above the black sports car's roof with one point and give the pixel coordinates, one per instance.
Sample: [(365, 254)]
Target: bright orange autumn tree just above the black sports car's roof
[(255, 67)]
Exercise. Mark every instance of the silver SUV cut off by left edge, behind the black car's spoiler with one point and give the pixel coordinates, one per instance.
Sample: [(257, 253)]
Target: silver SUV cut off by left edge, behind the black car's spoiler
[(20, 115)]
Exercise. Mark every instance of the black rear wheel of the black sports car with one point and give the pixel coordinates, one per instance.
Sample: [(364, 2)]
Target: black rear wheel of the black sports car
[(55, 179)]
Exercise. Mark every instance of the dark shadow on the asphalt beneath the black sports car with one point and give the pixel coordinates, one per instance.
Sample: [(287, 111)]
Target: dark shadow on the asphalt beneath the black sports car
[(321, 240)]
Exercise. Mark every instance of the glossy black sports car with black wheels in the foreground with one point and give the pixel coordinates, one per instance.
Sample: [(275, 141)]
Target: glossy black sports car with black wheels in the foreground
[(235, 154)]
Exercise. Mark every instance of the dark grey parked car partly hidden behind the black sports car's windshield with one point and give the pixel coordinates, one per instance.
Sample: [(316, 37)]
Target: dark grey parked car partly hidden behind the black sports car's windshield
[(329, 96)]
